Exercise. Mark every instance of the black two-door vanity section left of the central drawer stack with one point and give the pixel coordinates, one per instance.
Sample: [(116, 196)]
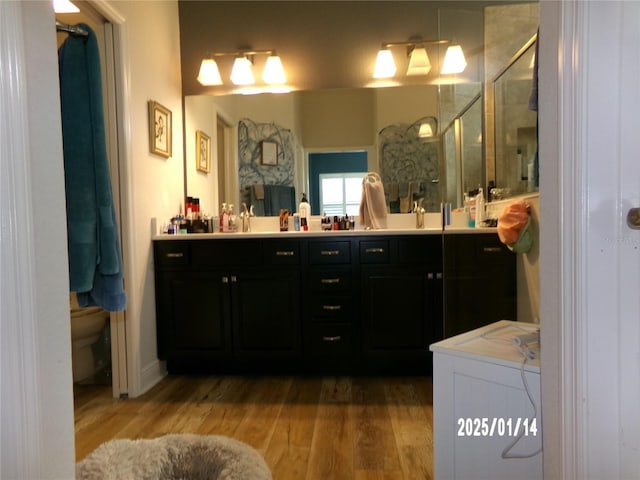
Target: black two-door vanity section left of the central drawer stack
[(227, 305)]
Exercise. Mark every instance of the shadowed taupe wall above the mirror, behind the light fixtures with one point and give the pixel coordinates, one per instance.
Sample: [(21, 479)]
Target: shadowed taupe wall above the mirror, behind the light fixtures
[(322, 44)]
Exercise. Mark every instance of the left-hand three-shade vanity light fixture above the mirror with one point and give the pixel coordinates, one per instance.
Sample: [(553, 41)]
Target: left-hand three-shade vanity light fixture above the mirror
[(242, 72)]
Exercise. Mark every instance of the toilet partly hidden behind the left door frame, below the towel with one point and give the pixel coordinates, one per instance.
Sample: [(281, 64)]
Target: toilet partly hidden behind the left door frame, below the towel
[(87, 324)]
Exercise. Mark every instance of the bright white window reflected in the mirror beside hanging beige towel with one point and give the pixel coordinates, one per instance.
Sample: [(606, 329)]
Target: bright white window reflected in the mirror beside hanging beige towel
[(340, 193)]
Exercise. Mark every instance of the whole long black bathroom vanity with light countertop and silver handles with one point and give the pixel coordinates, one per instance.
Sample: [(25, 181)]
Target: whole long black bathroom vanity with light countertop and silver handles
[(325, 302)]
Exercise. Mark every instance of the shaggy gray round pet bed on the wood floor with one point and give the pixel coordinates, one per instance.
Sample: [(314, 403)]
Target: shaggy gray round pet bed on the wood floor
[(174, 457)]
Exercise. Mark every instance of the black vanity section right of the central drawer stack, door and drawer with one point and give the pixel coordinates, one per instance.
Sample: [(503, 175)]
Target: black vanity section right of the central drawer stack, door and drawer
[(401, 302)]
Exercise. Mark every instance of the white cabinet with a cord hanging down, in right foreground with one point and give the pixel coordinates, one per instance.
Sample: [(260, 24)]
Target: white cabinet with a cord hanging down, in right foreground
[(487, 423)]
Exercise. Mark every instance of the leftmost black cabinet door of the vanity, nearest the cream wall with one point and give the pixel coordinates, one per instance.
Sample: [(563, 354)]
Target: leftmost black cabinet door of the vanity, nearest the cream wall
[(198, 314)]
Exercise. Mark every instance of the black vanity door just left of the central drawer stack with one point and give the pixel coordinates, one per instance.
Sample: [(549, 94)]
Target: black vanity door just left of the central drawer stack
[(266, 314)]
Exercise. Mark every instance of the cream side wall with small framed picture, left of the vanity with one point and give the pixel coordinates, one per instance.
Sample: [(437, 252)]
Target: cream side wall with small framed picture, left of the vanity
[(154, 185)]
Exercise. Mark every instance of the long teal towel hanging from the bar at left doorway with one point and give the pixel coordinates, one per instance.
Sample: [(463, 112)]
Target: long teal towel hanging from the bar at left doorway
[(95, 261)]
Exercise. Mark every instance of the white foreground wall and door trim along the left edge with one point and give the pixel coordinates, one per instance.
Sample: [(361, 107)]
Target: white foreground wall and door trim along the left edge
[(36, 385)]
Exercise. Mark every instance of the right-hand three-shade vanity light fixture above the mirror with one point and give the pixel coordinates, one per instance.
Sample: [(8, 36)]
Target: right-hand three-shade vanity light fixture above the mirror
[(419, 63)]
